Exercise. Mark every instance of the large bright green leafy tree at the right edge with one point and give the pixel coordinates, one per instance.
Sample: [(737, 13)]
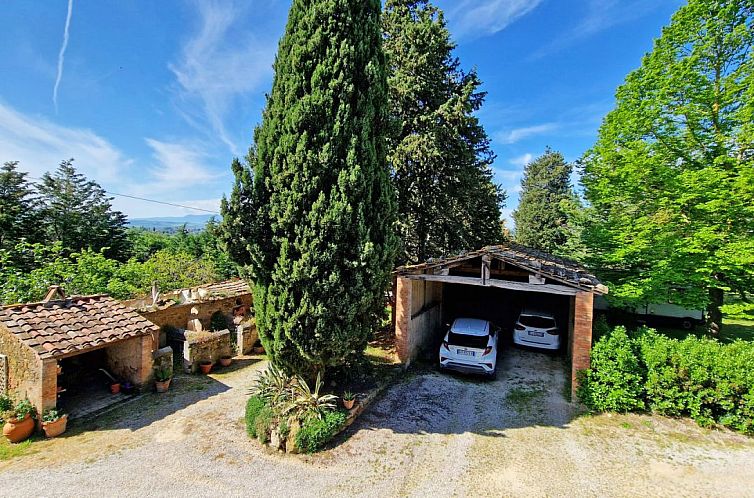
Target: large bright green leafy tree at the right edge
[(671, 178)]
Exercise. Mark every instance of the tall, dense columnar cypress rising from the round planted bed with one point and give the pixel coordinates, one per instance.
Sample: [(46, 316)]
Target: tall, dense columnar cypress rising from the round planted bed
[(321, 242)]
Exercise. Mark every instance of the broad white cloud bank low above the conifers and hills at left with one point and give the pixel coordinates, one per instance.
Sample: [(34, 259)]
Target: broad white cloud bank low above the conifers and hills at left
[(175, 170)]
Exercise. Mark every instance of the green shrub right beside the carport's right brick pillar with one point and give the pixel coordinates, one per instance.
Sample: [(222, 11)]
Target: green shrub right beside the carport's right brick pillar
[(615, 380)]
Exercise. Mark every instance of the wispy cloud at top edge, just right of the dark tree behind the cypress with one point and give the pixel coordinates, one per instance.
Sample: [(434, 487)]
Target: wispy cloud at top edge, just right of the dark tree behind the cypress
[(477, 18)]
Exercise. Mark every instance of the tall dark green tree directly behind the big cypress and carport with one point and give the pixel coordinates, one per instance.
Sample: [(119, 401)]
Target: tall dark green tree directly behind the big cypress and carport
[(439, 152)]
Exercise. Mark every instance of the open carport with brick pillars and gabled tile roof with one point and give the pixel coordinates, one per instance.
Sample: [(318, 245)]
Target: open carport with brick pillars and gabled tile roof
[(494, 283)]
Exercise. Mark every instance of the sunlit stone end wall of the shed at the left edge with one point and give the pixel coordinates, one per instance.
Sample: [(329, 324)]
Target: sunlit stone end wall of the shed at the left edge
[(24, 368)]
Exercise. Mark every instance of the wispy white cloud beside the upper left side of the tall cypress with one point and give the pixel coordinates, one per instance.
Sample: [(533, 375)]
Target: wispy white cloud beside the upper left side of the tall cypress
[(218, 64)]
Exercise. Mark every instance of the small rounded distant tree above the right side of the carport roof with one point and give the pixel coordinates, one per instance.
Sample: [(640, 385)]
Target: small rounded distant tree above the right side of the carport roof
[(541, 218)]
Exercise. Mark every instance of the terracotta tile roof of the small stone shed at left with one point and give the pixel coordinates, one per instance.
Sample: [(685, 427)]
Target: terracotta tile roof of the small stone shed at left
[(59, 328)]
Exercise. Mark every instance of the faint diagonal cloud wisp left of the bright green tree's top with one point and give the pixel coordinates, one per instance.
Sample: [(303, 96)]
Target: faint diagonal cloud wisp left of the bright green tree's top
[(601, 15)]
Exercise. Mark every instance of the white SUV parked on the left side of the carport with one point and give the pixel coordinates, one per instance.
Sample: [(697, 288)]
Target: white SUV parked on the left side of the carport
[(470, 346)]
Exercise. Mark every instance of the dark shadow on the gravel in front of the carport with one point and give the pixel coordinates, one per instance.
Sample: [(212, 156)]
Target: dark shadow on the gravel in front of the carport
[(527, 393)]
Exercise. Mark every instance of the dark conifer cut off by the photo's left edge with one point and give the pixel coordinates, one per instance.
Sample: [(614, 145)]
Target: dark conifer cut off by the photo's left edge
[(18, 207)]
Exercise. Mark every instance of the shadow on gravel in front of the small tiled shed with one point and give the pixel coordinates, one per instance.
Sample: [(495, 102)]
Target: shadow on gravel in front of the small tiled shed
[(149, 407)]
